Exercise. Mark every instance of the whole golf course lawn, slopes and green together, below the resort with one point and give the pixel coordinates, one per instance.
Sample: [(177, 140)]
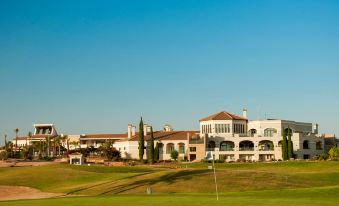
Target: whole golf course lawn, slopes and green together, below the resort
[(282, 183)]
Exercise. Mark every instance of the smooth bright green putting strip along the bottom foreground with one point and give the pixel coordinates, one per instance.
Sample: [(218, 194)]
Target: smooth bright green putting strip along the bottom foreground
[(307, 197)]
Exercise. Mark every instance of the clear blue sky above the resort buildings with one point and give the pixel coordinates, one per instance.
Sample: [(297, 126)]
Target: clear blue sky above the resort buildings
[(95, 66)]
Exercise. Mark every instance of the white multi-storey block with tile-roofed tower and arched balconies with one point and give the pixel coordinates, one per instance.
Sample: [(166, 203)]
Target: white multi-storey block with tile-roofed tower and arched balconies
[(232, 138)]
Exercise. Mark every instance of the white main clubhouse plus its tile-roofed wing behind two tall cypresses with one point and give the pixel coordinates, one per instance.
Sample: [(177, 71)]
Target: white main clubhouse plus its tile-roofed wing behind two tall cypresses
[(232, 137)]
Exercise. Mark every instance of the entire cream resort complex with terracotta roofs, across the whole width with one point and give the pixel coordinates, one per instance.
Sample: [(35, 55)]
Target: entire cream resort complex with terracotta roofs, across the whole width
[(223, 136)]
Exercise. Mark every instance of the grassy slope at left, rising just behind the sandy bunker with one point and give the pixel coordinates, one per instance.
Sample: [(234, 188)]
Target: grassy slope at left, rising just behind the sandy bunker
[(65, 178)]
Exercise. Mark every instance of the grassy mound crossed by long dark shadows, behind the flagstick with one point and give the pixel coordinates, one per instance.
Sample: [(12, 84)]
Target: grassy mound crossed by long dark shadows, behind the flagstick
[(231, 178)]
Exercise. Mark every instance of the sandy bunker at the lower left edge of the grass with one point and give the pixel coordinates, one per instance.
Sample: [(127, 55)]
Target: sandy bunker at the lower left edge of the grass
[(18, 192)]
